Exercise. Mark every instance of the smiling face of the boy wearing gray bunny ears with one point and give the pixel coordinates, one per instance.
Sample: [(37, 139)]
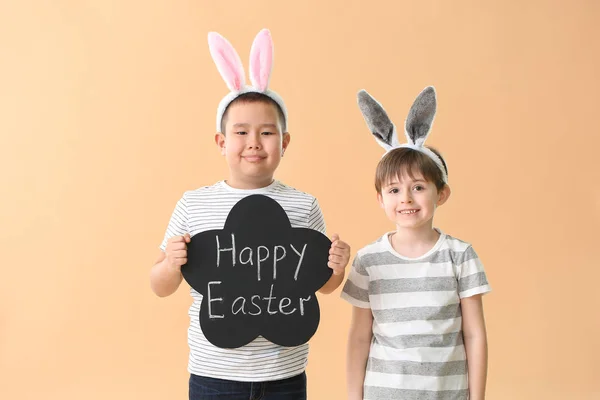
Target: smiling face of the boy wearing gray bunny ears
[(411, 203)]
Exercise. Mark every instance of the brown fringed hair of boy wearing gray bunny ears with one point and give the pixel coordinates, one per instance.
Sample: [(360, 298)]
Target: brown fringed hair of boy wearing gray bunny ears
[(405, 160)]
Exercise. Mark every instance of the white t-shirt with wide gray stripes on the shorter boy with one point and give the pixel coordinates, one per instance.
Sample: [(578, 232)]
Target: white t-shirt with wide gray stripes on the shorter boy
[(417, 350)]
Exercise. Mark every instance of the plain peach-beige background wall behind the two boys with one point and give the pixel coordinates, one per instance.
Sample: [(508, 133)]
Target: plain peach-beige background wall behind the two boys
[(107, 116)]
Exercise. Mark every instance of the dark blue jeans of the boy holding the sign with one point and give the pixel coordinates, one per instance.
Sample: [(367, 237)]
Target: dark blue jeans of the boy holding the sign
[(203, 388)]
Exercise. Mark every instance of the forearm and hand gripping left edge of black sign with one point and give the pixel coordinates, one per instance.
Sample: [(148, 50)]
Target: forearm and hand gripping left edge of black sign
[(165, 276)]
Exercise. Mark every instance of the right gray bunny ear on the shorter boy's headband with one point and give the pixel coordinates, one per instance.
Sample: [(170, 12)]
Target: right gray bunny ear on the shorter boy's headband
[(420, 117)]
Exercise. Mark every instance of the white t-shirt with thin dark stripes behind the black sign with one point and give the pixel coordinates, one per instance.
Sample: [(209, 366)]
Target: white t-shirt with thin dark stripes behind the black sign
[(205, 209)]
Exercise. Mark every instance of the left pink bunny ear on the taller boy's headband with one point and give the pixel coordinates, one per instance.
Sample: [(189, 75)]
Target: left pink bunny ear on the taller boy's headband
[(227, 60)]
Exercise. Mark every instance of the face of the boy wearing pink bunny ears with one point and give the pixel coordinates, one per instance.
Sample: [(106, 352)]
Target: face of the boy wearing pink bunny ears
[(253, 144)]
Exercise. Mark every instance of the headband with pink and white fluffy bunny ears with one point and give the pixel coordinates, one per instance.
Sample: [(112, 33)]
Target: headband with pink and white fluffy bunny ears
[(231, 69)]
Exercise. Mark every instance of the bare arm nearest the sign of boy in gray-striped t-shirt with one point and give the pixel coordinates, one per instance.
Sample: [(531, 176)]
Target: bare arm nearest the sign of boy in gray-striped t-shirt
[(359, 344)]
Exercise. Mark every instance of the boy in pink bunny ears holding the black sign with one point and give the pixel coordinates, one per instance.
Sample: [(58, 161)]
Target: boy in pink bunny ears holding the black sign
[(252, 136)]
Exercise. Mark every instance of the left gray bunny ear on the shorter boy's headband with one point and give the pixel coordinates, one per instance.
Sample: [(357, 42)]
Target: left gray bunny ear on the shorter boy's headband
[(377, 120)]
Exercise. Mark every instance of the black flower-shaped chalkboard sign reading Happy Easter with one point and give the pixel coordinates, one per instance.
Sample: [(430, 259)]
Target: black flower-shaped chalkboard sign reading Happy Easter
[(258, 276)]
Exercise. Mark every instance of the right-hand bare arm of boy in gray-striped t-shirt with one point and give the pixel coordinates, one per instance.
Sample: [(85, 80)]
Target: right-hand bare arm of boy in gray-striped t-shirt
[(474, 333)]
